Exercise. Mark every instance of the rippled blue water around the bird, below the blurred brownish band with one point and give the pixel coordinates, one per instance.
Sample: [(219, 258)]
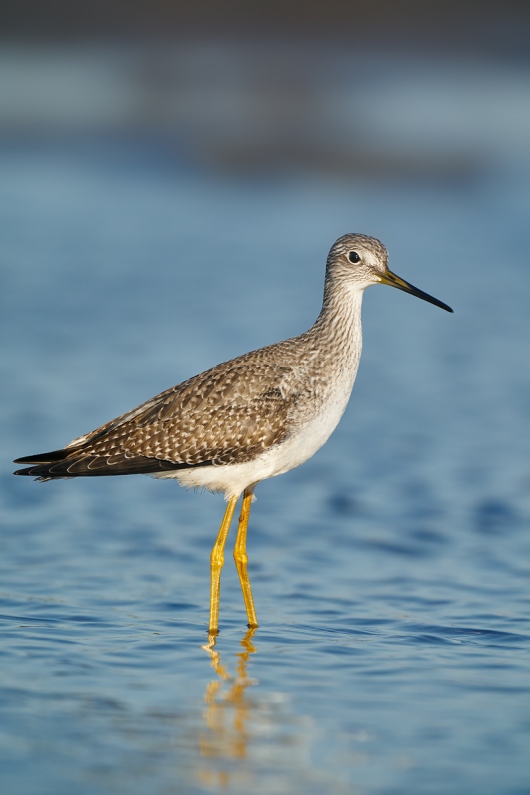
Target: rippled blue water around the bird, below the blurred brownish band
[(391, 572)]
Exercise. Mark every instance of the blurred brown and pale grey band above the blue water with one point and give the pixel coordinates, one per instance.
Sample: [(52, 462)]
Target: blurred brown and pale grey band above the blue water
[(383, 89)]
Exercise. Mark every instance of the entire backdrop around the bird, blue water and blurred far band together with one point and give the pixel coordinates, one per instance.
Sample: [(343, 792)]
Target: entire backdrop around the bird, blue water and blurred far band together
[(172, 177)]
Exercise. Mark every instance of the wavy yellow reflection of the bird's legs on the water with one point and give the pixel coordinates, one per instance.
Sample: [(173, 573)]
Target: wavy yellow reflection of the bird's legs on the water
[(228, 710)]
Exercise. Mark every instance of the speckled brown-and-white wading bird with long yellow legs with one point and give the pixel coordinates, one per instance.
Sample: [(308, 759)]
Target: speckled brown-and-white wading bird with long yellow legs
[(251, 418)]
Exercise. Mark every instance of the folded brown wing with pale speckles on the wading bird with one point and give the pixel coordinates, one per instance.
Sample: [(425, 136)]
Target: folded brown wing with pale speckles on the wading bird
[(228, 414)]
